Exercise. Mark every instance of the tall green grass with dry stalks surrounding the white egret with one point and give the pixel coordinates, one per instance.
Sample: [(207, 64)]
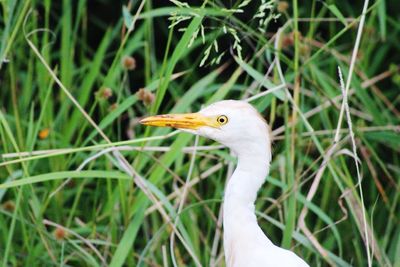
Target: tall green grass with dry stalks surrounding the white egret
[(69, 198)]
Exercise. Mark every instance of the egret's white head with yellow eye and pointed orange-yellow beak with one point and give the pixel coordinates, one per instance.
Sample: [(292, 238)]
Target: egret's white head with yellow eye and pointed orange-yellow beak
[(235, 124)]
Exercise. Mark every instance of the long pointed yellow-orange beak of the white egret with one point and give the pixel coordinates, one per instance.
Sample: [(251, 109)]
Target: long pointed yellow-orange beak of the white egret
[(191, 121)]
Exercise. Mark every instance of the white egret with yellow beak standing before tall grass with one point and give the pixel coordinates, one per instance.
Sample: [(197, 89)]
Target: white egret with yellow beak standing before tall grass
[(237, 125)]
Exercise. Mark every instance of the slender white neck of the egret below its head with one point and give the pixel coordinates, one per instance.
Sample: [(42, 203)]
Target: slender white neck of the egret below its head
[(240, 222)]
